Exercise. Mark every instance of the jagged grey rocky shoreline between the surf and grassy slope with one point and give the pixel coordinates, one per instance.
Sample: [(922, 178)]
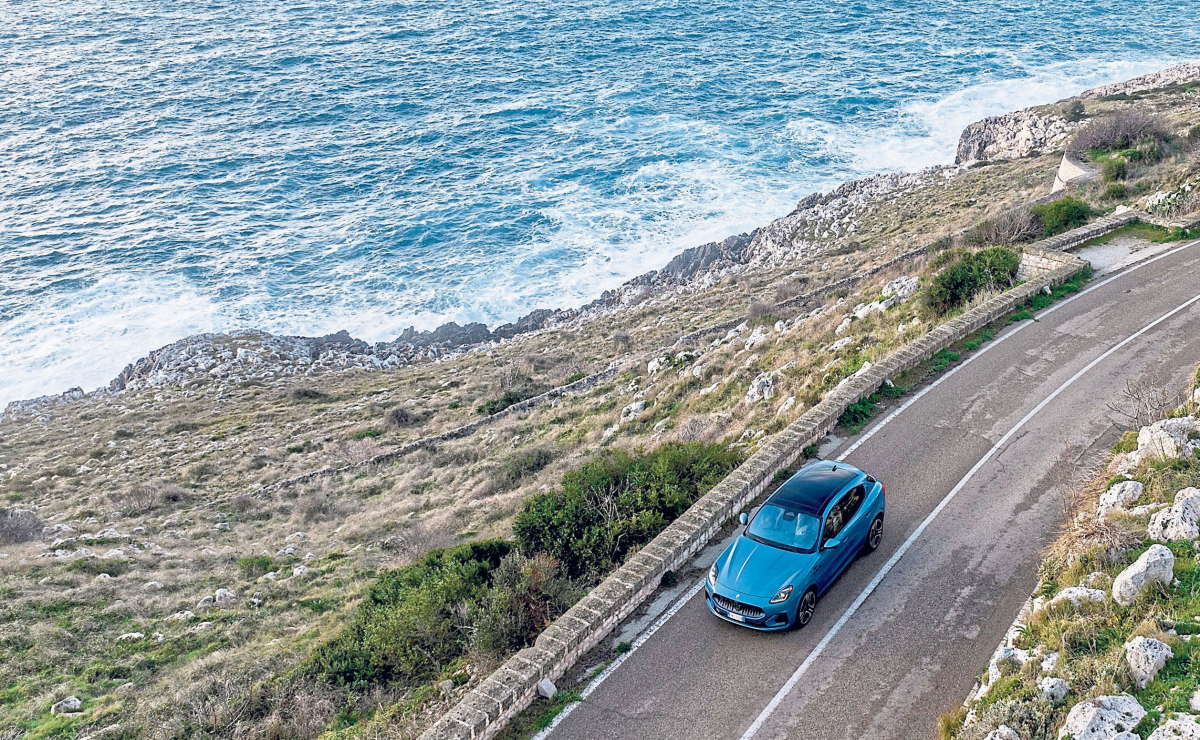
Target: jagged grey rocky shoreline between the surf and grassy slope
[(820, 224)]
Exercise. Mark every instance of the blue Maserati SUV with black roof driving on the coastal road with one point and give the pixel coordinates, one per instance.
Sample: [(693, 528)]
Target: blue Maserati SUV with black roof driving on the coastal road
[(796, 546)]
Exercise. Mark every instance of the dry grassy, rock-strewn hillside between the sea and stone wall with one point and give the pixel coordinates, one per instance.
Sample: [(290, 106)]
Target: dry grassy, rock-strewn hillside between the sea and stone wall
[(165, 559)]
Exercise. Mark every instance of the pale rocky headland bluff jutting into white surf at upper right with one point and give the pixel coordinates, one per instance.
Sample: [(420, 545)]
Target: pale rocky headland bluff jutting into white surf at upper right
[(1012, 136)]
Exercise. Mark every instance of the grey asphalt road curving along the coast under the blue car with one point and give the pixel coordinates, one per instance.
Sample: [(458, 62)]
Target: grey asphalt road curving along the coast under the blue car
[(917, 643)]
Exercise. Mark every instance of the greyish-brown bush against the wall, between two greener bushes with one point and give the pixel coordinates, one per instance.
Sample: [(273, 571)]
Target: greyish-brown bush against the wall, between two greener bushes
[(527, 594)]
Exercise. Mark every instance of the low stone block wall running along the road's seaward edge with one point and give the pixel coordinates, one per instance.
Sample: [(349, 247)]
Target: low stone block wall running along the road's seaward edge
[(488, 708)]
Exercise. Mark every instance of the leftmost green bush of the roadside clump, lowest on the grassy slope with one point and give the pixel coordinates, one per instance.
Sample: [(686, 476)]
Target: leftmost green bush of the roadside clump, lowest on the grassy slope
[(412, 623)]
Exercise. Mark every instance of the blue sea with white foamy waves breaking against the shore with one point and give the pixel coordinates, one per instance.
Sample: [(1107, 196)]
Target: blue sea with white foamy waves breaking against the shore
[(304, 167)]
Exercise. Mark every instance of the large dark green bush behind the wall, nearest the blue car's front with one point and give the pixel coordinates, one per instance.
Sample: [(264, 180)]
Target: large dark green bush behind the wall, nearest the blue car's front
[(617, 503)]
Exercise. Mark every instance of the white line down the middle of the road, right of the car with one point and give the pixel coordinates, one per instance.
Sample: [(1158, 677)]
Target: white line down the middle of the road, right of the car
[(892, 562)]
